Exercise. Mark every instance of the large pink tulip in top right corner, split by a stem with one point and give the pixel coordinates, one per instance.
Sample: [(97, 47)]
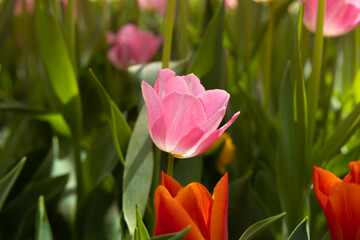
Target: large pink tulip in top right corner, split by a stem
[(341, 16)]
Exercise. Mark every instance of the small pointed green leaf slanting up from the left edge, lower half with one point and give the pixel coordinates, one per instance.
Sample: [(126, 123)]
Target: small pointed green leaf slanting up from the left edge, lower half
[(7, 181)]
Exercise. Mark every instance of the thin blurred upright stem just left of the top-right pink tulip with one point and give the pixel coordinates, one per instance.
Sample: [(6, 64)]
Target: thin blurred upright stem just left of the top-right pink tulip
[(268, 58)]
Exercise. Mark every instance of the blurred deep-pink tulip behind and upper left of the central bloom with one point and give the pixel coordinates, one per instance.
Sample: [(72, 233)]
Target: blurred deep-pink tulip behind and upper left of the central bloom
[(130, 46)]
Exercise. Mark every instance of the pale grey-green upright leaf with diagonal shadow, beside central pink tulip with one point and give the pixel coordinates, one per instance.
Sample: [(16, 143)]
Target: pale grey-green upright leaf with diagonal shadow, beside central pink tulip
[(138, 171)]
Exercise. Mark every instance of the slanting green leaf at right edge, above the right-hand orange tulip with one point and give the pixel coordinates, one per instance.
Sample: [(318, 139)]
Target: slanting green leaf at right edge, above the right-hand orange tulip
[(341, 135)]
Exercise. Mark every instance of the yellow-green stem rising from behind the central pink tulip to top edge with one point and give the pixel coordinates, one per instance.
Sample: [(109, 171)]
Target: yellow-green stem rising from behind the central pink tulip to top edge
[(169, 25)]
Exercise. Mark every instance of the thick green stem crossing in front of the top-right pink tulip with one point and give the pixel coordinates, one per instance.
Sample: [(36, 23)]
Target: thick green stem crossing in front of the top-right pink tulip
[(314, 81)]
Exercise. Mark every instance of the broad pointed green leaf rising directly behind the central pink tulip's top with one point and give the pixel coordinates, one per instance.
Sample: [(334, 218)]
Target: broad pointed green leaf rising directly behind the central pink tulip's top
[(208, 60)]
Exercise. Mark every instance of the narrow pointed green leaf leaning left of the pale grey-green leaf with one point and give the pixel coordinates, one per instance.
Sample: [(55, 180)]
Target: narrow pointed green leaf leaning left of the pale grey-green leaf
[(120, 129)]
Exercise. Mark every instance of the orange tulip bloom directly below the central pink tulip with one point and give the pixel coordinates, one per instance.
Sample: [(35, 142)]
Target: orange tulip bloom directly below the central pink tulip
[(177, 207)]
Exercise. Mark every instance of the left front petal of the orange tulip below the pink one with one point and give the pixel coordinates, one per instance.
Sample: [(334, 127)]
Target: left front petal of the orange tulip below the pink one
[(171, 217)]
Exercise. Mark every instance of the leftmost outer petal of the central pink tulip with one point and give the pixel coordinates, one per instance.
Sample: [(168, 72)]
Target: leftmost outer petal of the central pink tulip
[(155, 111)]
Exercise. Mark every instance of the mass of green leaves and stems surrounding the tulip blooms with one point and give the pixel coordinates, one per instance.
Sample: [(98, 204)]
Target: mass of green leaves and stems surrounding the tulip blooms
[(76, 157)]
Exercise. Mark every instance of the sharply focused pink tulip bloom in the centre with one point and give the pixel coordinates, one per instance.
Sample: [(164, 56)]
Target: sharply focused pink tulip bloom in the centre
[(183, 118)]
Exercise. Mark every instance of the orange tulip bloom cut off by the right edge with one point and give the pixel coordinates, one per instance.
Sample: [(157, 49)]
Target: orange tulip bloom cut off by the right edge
[(340, 201)]
